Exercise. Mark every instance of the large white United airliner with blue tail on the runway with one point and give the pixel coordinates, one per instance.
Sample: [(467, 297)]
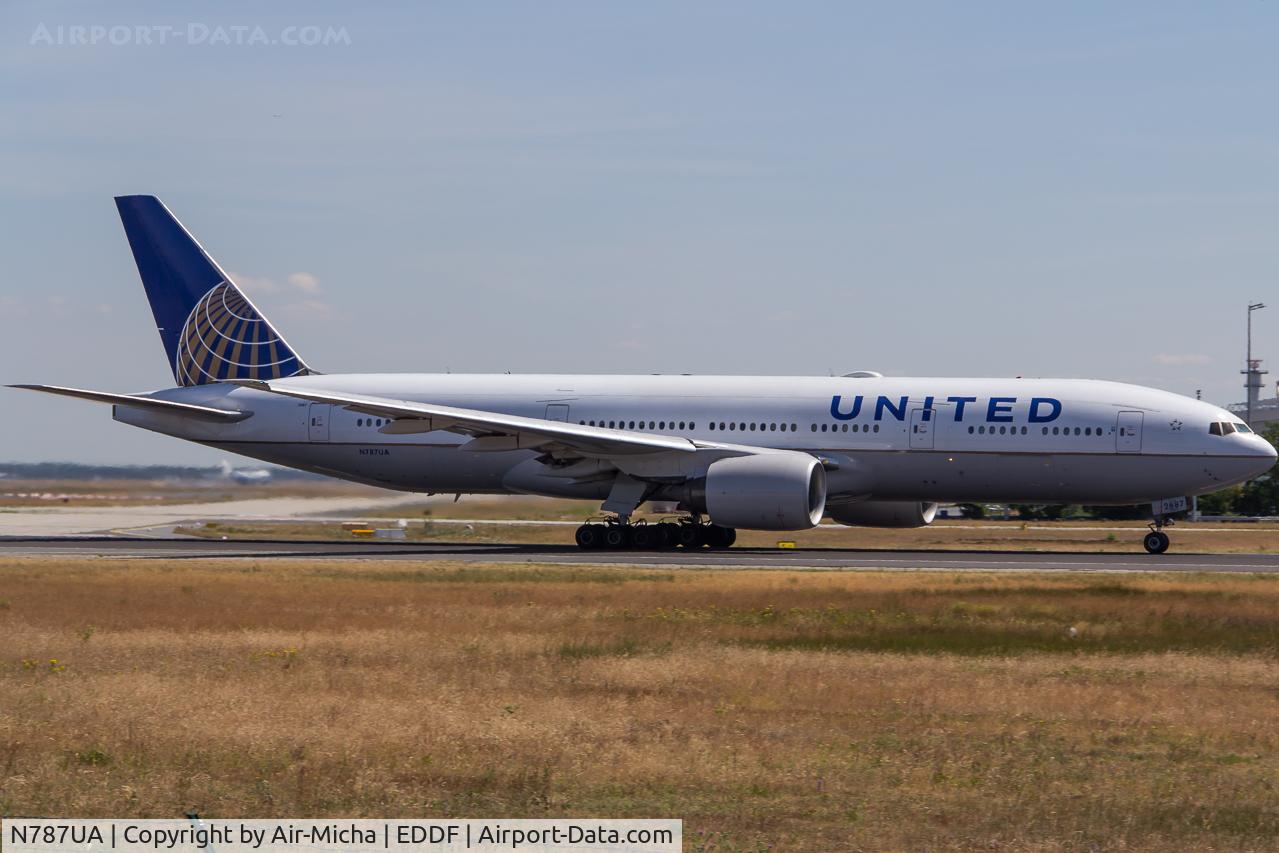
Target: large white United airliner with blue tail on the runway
[(771, 453)]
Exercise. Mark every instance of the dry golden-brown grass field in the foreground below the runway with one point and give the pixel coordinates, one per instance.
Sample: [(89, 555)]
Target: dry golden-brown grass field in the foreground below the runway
[(771, 710)]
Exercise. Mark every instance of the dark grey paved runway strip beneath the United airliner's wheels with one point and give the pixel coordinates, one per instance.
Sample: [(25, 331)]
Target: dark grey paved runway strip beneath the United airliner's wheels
[(809, 560)]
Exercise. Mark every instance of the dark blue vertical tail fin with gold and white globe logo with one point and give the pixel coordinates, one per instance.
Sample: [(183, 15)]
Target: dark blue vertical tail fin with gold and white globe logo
[(210, 331)]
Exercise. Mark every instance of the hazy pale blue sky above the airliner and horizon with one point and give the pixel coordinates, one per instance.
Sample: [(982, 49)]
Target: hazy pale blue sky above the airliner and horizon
[(1085, 190)]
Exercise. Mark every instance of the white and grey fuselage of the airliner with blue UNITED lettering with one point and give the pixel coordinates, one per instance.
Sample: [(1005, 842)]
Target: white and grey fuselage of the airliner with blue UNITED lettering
[(1019, 441)]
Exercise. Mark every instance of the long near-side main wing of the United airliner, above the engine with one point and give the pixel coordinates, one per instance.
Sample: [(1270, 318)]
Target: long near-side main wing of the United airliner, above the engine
[(492, 430)]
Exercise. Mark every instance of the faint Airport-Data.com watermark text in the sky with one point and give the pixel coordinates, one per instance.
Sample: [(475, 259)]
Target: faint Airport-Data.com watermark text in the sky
[(192, 34)]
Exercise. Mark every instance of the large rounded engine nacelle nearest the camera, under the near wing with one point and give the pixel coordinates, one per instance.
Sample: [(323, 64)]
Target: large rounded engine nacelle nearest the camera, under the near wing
[(771, 492)]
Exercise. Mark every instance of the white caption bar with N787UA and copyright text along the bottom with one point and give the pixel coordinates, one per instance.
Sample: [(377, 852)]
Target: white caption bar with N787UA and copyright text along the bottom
[(571, 836)]
